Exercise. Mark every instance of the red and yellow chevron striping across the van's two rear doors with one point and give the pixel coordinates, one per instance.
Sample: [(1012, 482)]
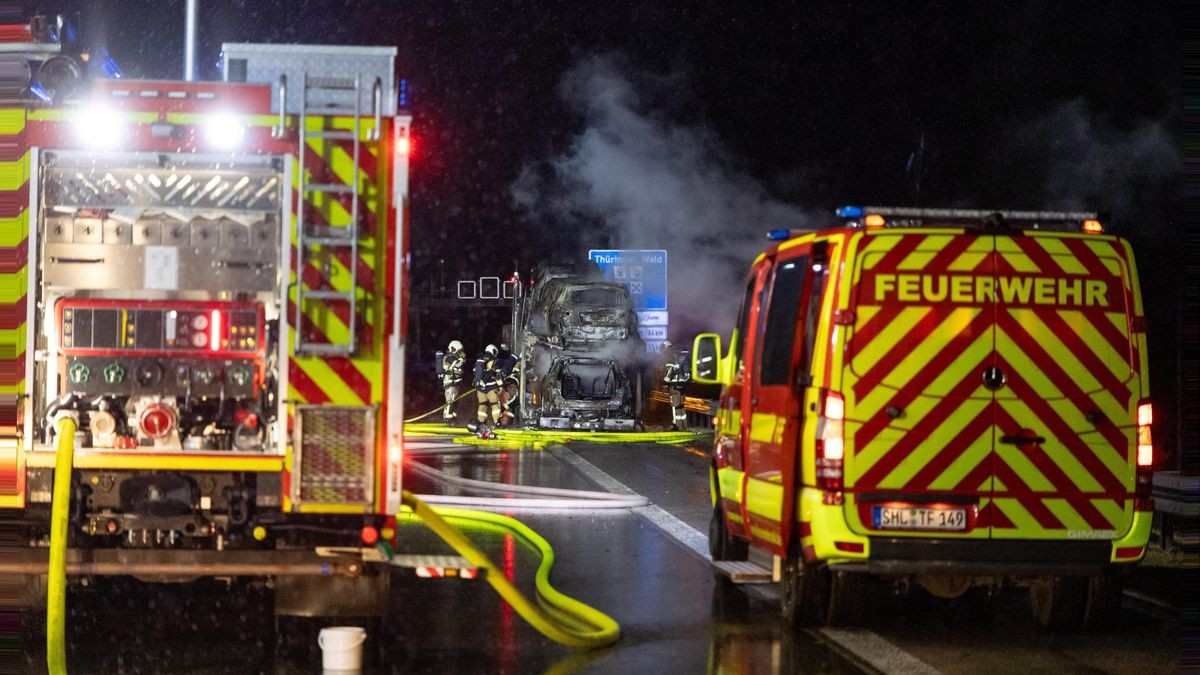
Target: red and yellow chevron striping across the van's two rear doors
[(1069, 362)]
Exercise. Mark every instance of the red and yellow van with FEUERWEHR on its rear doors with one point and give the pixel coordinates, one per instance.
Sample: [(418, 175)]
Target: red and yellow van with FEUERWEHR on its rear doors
[(953, 399)]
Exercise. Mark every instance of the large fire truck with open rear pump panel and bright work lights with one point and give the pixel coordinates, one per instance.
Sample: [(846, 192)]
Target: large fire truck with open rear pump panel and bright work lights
[(208, 279)]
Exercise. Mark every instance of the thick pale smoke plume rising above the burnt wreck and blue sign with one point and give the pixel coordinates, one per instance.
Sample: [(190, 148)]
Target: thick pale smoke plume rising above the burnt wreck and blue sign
[(652, 183)]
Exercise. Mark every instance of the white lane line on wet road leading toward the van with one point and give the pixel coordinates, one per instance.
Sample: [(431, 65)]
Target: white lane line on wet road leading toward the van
[(865, 646)]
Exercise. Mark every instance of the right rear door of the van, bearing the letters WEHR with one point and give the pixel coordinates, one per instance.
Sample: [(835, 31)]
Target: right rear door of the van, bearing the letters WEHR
[(1065, 415)]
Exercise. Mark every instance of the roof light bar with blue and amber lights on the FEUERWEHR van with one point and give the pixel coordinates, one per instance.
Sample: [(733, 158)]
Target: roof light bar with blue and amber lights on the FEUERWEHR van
[(907, 217)]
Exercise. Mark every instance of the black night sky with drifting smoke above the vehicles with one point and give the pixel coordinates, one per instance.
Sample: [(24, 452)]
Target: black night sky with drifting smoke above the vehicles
[(543, 129)]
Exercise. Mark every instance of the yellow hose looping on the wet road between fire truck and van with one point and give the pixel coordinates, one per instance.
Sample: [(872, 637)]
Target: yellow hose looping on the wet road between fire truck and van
[(560, 618)]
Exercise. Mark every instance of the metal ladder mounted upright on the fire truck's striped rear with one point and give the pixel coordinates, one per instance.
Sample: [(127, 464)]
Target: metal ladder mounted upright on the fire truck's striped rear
[(331, 97)]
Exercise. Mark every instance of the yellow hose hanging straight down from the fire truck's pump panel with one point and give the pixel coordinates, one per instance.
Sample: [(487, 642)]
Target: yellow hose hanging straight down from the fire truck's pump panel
[(57, 582)]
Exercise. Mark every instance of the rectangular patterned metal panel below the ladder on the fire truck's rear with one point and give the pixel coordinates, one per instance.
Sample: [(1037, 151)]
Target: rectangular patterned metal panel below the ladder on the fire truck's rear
[(335, 449)]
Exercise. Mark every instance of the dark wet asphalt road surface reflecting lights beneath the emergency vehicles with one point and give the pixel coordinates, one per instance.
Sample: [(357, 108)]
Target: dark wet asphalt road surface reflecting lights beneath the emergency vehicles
[(674, 618)]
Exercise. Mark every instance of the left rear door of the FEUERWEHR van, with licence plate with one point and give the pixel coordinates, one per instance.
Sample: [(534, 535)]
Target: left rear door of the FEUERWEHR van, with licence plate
[(919, 431)]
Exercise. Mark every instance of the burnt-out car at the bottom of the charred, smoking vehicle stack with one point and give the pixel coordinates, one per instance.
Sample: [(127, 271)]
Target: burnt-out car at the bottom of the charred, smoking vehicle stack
[(586, 393)]
